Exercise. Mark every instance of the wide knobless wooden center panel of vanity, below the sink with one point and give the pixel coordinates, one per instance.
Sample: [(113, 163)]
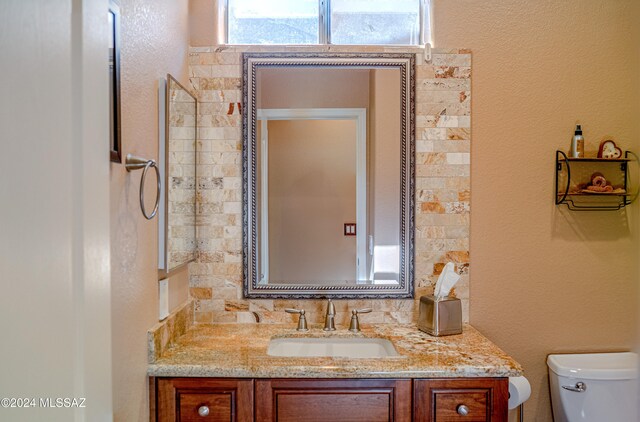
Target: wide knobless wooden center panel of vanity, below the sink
[(285, 400)]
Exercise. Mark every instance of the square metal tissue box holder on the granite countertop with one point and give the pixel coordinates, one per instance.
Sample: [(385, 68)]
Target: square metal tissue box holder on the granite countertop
[(441, 317)]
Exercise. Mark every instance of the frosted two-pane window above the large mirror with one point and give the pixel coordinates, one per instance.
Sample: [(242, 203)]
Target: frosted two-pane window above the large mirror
[(404, 22)]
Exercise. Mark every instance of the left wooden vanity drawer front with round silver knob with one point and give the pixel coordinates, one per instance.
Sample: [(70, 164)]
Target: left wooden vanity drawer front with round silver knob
[(203, 399)]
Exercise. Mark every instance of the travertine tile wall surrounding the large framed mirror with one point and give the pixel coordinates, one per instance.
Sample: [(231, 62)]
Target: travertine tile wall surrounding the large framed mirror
[(442, 187)]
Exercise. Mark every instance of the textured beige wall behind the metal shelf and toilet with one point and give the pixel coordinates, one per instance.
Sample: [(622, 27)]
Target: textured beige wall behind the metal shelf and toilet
[(544, 280)]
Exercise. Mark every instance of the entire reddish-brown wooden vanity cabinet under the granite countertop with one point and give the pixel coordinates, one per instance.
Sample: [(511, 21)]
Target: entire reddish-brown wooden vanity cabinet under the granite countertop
[(329, 400)]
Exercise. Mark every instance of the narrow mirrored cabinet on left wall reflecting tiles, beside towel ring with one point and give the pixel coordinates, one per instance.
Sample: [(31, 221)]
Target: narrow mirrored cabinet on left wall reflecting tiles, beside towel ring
[(177, 219)]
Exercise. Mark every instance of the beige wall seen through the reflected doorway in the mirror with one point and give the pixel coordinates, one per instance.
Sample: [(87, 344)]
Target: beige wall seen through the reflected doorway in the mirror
[(316, 156)]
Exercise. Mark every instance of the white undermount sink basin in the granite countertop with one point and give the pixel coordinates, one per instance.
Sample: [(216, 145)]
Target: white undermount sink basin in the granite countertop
[(331, 347)]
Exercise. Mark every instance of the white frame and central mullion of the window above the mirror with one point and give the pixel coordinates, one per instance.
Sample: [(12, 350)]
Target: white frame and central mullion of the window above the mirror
[(324, 25)]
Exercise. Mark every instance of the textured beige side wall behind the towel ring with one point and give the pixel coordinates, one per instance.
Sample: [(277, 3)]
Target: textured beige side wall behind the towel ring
[(154, 42)]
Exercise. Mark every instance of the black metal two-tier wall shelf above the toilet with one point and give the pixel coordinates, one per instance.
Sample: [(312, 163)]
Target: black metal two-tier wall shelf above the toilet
[(573, 172)]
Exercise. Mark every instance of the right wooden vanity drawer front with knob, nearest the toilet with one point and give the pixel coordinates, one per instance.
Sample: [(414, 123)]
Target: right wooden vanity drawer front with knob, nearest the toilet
[(469, 399)]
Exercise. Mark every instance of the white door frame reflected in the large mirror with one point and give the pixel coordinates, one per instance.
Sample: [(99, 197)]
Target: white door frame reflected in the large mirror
[(360, 116)]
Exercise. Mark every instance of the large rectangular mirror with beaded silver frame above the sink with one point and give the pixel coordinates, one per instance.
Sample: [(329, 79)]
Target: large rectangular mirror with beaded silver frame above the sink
[(328, 147)]
